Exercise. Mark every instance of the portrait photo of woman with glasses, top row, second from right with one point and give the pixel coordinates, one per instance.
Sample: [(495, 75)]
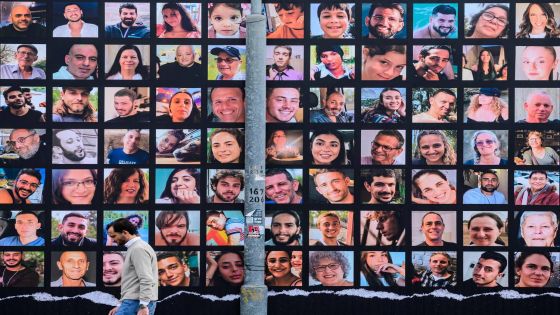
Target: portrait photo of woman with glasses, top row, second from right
[(490, 22)]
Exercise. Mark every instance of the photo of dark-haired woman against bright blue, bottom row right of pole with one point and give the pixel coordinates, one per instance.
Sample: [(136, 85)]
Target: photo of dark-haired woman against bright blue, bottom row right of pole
[(377, 269)]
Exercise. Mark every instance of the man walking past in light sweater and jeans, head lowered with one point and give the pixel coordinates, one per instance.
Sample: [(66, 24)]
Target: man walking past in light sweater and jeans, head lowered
[(139, 281)]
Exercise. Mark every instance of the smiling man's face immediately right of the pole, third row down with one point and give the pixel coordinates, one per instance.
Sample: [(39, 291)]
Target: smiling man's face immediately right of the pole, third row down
[(282, 104)]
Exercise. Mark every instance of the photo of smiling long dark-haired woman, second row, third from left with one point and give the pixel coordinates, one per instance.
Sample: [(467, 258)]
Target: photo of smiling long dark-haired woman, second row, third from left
[(128, 63)]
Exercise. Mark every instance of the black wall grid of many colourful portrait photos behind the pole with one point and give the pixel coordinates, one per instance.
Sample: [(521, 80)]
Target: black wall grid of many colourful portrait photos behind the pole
[(408, 144)]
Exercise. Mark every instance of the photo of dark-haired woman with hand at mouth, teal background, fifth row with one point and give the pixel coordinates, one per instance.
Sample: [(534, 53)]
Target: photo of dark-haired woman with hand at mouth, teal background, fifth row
[(181, 187)]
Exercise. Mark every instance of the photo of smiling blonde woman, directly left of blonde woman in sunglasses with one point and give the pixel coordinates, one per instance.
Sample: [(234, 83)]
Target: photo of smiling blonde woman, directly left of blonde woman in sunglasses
[(434, 147)]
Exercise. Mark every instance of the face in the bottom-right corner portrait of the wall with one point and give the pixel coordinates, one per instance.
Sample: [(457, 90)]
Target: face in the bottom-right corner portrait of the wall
[(535, 272)]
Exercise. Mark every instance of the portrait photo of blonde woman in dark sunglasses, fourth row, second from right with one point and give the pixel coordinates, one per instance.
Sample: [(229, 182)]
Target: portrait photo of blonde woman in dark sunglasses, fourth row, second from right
[(486, 148)]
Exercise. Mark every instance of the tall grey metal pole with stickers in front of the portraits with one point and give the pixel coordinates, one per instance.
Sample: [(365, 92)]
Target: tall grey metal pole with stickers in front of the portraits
[(254, 291)]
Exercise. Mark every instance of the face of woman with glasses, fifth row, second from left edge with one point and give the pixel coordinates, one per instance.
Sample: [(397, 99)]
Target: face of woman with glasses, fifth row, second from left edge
[(82, 193)]
